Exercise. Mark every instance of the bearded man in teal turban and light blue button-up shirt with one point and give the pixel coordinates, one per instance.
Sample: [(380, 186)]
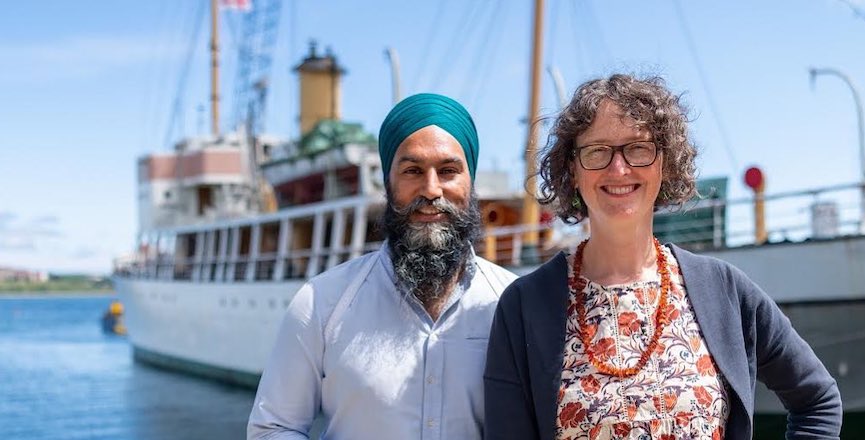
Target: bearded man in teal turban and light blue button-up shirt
[(392, 345)]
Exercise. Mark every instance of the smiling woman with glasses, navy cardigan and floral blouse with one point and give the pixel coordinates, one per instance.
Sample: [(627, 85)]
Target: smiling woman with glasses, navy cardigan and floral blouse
[(627, 338)]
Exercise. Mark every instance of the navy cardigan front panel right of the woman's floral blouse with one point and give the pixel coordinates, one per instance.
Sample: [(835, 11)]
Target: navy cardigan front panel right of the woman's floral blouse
[(720, 322)]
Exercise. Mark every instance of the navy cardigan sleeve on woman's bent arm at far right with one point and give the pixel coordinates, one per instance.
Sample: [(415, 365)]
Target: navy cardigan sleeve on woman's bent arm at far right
[(789, 367)]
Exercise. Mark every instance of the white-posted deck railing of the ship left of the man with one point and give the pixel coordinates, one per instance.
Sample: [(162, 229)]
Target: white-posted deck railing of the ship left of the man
[(291, 244)]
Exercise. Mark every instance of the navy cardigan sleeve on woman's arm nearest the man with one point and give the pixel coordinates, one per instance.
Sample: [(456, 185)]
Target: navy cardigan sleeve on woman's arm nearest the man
[(508, 410)]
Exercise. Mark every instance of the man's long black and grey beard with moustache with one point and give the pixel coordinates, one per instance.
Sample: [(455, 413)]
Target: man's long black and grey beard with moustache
[(427, 257)]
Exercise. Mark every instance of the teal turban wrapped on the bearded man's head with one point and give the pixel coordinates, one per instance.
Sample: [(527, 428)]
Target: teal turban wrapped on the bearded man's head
[(423, 110)]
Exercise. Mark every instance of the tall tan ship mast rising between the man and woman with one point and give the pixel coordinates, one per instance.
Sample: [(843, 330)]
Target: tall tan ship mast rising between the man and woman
[(530, 211)]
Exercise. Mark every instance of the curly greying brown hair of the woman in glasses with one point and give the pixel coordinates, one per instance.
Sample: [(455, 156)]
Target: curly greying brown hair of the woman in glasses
[(651, 105)]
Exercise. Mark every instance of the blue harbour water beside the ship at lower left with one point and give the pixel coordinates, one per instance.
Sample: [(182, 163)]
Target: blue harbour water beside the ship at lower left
[(61, 377)]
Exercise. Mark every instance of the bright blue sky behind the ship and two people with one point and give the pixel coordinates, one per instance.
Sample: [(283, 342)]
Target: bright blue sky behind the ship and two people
[(86, 87)]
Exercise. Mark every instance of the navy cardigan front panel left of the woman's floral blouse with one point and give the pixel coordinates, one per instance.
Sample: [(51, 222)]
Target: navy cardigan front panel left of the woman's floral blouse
[(546, 324)]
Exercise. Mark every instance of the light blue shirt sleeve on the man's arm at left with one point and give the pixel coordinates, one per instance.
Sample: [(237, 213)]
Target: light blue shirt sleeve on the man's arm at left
[(289, 393)]
